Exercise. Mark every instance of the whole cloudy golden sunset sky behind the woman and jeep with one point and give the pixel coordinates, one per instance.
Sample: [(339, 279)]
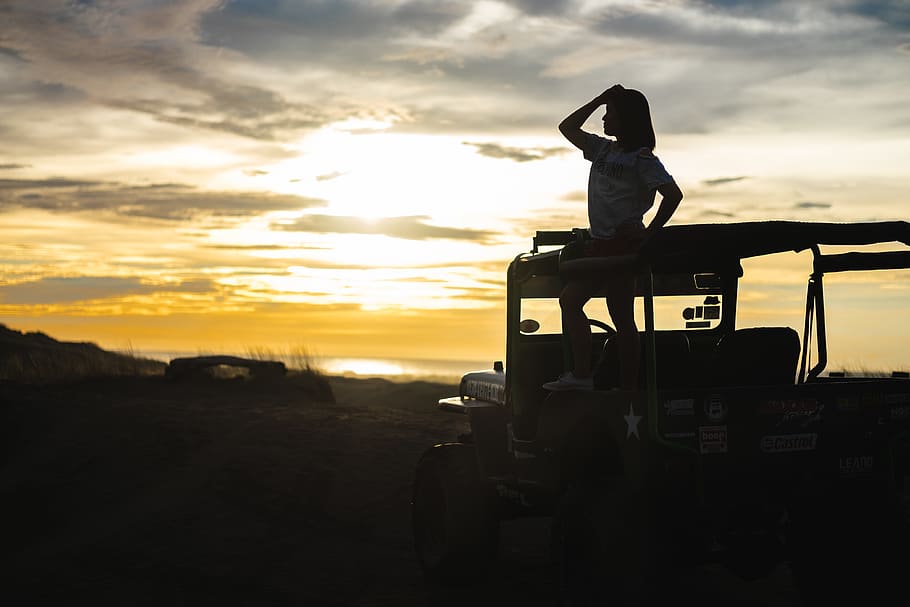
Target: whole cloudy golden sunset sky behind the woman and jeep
[(353, 177)]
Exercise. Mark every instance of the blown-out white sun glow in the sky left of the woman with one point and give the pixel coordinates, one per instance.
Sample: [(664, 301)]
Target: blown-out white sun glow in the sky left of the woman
[(389, 175)]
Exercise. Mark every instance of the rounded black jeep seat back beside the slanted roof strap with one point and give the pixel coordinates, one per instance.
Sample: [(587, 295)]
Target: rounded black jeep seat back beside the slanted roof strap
[(756, 356)]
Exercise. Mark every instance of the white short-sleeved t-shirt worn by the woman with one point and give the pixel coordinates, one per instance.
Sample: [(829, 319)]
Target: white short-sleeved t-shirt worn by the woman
[(621, 184)]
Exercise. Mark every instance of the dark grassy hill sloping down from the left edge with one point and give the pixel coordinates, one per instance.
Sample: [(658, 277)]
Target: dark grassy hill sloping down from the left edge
[(38, 357)]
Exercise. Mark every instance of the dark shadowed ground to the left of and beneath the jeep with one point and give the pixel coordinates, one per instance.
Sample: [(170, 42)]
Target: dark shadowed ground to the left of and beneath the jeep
[(143, 492)]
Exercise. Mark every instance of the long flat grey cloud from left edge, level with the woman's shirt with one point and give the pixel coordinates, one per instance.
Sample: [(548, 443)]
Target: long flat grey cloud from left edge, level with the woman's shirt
[(157, 201)]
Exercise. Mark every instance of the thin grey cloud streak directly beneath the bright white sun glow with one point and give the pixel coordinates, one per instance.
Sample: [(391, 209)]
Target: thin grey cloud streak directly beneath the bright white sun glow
[(408, 228)]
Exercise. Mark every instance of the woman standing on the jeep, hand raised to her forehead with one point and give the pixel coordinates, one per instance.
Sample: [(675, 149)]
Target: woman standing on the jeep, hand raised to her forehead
[(624, 176)]
